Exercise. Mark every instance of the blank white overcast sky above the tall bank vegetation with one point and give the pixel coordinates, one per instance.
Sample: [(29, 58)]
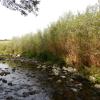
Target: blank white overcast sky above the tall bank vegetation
[(12, 23)]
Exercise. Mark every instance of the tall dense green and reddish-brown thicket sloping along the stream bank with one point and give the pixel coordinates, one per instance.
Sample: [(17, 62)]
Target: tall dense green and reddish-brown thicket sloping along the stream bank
[(74, 39)]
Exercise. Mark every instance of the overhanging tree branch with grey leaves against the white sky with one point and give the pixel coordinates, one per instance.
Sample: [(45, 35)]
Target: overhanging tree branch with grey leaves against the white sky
[(24, 6)]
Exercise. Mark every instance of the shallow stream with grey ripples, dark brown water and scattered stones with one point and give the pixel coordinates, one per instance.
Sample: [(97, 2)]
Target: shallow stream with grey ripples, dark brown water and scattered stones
[(32, 80)]
